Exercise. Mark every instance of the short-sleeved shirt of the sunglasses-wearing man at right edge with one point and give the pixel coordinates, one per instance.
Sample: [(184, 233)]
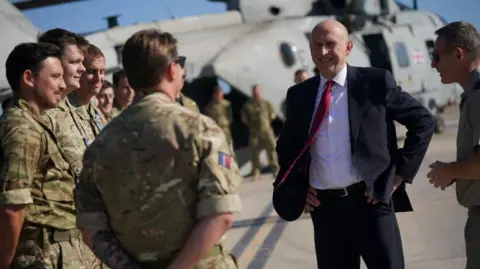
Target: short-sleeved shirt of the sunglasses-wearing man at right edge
[(468, 136)]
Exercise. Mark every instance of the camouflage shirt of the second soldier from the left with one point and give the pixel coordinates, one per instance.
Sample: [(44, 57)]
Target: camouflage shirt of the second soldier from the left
[(73, 136)]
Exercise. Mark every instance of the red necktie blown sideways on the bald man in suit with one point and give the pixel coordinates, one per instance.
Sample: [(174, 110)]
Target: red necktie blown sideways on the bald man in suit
[(322, 110)]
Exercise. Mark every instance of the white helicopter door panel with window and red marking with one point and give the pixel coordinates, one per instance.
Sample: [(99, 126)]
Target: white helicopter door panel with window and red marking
[(403, 59)]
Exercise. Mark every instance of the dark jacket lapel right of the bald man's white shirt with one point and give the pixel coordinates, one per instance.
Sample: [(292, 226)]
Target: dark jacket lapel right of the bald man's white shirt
[(356, 98)]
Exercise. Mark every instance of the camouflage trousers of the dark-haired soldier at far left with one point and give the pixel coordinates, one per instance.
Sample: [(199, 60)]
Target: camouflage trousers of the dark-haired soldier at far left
[(73, 254)]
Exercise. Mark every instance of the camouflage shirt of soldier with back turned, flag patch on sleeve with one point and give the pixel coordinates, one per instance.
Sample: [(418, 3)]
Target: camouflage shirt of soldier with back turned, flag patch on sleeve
[(156, 170)]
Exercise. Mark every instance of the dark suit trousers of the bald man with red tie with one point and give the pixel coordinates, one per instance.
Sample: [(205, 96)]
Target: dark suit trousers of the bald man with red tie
[(347, 228)]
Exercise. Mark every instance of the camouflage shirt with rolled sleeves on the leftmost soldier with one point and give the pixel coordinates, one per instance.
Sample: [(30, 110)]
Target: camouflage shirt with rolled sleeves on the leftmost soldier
[(33, 171)]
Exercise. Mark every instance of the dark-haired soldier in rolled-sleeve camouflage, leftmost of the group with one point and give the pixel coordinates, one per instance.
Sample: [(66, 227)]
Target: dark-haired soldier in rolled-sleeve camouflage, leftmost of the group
[(36, 182)]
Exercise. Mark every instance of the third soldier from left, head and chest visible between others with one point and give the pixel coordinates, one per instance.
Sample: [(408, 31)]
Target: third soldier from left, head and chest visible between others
[(91, 119)]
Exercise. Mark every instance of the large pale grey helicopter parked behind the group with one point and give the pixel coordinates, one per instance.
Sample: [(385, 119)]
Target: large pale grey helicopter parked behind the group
[(265, 41)]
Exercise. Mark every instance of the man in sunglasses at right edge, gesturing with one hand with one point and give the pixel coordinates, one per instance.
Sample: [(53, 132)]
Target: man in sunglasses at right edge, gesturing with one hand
[(456, 57)]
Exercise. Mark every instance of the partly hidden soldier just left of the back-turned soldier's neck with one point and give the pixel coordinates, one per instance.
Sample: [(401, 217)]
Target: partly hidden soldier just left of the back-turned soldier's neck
[(124, 93)]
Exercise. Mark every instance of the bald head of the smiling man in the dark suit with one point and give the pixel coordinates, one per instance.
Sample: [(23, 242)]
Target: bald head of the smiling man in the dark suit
[(330, 47)]
